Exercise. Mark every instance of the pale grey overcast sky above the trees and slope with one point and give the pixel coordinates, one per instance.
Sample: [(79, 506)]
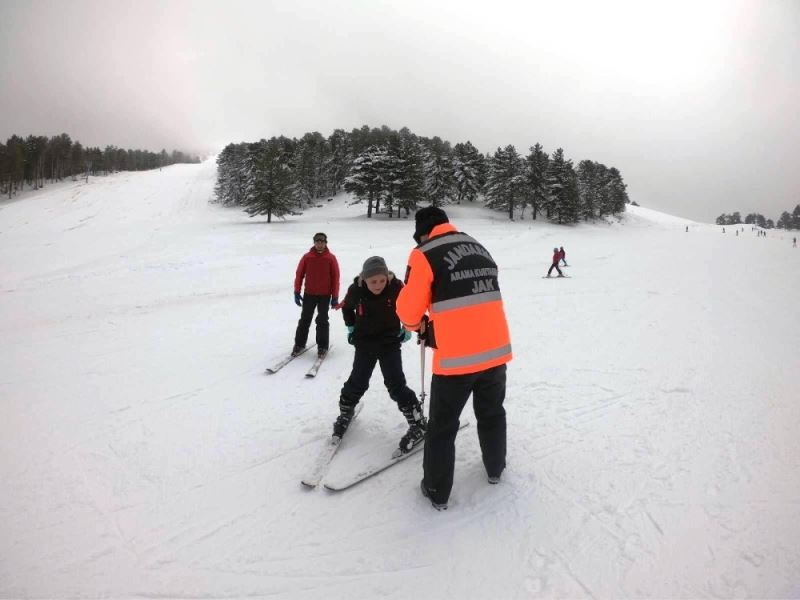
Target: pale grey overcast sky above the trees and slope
[(697, 103)]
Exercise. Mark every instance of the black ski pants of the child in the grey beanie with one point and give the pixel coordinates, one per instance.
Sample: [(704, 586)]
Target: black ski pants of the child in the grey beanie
[(391, 361)]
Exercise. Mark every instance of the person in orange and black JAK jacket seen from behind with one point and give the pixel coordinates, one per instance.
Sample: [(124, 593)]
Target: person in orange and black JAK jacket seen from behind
[(453, 278)]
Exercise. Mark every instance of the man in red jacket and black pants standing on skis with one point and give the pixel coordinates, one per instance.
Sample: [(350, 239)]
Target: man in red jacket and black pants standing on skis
[(320, 270)]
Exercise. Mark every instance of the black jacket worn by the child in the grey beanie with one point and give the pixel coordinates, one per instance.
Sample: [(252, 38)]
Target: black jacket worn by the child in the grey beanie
[(373, 318)]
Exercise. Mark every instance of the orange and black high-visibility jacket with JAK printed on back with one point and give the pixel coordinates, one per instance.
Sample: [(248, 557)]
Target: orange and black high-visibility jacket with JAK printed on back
[(453, 278)]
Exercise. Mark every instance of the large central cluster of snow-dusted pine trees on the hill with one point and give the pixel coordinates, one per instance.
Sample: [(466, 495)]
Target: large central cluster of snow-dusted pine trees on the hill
[(392, 171)]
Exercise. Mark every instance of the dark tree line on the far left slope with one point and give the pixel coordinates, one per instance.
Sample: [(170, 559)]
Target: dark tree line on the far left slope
[(35, 160)]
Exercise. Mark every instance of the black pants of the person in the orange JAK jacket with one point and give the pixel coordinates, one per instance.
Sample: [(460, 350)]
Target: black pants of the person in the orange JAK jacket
[(449, 395)]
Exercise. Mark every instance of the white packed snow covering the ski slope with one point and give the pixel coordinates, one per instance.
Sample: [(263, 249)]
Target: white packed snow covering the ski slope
[(654, 422)]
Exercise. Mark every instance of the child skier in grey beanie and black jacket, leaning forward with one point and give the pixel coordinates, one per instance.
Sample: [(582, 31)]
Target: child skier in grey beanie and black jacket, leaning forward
[(375, 331)]
